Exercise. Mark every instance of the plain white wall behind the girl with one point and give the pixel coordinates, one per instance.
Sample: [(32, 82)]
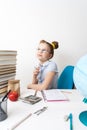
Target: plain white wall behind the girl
[(23, 23)]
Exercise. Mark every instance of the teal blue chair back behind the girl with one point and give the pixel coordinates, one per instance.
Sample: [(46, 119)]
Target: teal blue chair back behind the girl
[(65, 80)]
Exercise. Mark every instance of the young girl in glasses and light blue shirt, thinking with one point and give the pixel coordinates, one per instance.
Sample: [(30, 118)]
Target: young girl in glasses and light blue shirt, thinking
[(46, 74)]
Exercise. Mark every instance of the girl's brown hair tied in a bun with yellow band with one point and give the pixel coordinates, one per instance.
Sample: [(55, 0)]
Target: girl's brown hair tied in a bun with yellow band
[(53, 45)]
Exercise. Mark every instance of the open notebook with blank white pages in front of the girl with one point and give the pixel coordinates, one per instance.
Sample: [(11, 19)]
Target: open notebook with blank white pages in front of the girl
[(53, 95)]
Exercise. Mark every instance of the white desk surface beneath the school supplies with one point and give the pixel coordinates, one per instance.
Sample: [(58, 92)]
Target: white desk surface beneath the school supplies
[(51, 119)]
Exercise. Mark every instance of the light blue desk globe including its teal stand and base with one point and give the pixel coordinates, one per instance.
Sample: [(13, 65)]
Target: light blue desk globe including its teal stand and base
[(80, 81)]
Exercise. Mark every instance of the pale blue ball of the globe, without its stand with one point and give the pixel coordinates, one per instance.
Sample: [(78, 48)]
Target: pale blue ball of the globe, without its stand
[(80, 75)]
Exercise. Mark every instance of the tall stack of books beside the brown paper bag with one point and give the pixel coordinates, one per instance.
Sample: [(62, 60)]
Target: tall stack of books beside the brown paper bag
[(7, 68)]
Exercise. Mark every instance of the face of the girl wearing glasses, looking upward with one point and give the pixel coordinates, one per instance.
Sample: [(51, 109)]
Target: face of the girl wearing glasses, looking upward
[(43, 52)]
